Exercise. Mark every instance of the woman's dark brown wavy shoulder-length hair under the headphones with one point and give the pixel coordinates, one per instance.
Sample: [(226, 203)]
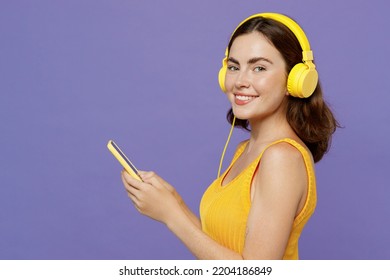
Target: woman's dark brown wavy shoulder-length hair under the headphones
[(311, 118)]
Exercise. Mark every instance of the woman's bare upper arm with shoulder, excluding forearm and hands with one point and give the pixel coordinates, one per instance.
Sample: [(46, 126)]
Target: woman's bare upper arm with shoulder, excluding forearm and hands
[(279, 188)]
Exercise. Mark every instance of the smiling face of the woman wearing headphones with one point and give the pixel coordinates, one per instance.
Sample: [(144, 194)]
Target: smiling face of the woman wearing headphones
[(255, 78)]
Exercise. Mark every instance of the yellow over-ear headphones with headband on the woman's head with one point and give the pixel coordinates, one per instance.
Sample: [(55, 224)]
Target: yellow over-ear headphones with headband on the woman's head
[(303, 77)]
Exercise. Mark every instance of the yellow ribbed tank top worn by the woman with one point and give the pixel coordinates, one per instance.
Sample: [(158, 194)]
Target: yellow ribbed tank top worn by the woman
[(224, 210)]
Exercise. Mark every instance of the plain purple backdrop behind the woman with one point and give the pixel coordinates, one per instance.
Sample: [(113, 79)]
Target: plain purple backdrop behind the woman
[(74, 74)]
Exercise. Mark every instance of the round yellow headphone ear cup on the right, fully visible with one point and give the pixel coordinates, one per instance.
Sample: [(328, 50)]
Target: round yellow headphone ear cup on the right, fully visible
[(302, 80)]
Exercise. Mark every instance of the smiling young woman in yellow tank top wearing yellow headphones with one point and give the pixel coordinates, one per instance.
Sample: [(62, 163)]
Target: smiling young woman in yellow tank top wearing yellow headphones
[(258, 207)]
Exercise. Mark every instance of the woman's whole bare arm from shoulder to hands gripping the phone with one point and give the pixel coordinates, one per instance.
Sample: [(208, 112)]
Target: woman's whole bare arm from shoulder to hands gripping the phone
[(278, 190)]
